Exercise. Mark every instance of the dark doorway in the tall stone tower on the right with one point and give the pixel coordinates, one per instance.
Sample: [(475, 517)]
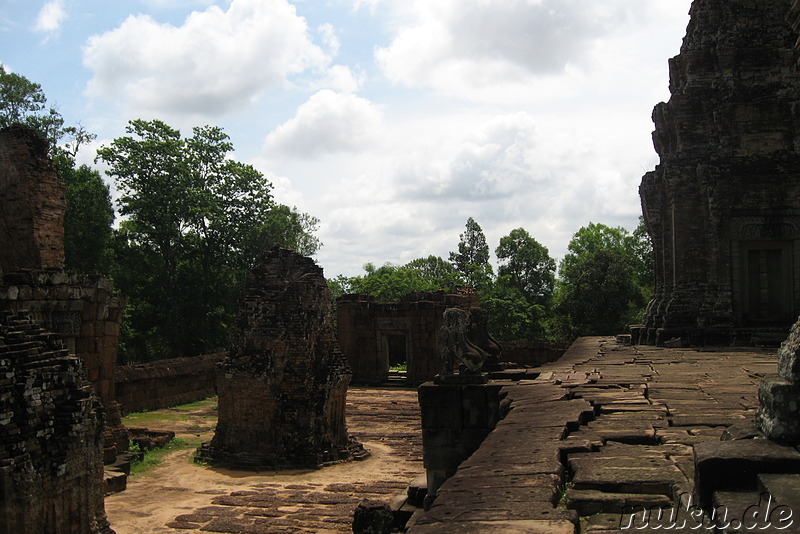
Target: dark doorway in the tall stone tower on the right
[(766, 282)]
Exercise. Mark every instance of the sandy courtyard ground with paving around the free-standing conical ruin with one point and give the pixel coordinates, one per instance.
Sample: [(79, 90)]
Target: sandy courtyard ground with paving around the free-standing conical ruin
[(181, 496)]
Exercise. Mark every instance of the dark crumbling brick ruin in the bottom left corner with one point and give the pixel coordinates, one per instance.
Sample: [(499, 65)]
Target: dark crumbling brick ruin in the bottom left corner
[(51, 436)]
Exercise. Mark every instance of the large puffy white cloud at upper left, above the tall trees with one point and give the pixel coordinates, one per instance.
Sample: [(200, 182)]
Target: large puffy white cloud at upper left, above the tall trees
[(217, 61)]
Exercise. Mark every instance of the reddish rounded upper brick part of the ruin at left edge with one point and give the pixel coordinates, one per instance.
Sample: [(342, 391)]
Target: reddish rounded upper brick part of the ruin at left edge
[(32, 216)]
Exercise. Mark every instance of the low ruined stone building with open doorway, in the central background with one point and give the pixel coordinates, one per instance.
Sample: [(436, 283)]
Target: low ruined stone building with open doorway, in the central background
[(374, 335)]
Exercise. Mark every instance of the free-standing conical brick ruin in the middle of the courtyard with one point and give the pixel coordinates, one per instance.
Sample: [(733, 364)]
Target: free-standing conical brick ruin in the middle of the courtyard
[(282, 390)]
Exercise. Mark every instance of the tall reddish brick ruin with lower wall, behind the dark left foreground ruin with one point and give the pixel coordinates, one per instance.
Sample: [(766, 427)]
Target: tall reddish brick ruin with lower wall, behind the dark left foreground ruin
[(82, 309)]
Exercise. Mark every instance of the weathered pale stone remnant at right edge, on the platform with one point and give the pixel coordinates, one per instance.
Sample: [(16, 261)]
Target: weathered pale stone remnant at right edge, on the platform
[(778, 415)]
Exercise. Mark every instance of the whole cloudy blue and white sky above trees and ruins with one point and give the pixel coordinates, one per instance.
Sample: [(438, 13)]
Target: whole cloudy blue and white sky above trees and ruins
[(392, 121)]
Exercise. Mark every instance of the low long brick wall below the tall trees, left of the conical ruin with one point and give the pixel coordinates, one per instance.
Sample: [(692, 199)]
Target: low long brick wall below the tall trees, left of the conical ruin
[(165, 383)]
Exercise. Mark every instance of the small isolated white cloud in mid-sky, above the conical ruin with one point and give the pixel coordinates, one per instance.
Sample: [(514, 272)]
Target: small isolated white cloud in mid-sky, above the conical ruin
[(329, 122)]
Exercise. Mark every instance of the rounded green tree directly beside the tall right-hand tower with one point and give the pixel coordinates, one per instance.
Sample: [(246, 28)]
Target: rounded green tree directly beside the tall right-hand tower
[(598, 292)]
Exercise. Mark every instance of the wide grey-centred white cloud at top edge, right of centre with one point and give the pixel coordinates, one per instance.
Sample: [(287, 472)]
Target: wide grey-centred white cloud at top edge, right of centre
[(476, 44)]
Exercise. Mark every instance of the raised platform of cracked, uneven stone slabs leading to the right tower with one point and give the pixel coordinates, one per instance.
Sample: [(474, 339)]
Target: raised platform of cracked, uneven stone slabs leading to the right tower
[(605, 430)]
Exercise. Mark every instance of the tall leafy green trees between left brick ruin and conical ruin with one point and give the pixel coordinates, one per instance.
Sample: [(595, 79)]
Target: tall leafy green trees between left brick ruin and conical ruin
[(194, 222)]
